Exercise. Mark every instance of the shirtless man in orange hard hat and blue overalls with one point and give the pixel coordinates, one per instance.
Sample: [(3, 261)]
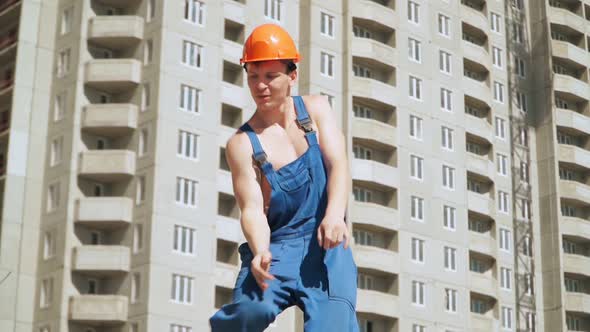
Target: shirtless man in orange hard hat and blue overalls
[(290, 177)]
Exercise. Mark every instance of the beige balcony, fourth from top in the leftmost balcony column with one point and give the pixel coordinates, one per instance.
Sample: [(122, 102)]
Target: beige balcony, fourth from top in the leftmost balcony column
[(107, 165)]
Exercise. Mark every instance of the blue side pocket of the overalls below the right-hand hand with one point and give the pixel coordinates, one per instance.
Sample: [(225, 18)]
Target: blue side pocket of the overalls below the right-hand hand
[(342, 274)]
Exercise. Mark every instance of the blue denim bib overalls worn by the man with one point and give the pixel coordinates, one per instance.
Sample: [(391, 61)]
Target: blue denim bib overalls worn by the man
[(322, 283)]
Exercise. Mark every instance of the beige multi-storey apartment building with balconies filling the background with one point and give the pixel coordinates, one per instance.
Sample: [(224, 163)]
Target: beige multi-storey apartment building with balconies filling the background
[(468, 130)]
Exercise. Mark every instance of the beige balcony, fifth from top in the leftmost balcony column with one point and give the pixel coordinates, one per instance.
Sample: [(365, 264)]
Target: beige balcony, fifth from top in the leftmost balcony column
[(104, 212)]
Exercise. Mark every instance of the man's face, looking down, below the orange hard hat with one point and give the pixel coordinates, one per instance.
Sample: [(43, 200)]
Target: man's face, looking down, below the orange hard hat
[(269, 83)]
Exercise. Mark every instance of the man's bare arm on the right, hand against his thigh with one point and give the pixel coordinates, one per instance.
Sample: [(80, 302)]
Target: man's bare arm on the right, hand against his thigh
[(333, 147)]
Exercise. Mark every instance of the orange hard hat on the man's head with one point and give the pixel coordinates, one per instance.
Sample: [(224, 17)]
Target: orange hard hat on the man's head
[(269, 42)]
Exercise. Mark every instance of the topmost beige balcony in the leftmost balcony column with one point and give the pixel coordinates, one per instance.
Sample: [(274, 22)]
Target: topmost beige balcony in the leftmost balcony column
[(115, 32)]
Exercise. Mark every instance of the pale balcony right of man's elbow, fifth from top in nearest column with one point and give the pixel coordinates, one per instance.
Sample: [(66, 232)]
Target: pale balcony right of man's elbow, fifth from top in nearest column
[(376, 172)]
